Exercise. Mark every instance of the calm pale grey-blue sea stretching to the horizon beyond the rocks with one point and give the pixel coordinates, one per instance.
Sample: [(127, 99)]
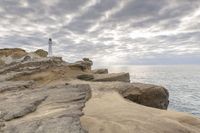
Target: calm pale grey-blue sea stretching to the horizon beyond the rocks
[(182, 82)]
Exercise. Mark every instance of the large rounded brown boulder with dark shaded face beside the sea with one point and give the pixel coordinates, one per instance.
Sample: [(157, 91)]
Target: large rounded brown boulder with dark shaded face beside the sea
[(146, 94)]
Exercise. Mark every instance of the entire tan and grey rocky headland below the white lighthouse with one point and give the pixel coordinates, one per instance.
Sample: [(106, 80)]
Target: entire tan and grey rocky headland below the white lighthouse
[(48, 95)]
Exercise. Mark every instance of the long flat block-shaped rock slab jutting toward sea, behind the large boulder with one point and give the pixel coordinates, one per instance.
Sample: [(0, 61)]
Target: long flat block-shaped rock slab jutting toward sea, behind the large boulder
[(123, 77)]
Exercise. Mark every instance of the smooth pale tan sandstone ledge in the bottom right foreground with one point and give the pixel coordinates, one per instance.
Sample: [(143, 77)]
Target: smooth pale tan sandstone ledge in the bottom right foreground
[(108, 112)]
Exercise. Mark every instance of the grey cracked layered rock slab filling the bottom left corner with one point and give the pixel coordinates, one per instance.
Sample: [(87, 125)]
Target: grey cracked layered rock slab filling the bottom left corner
[(47, 110)]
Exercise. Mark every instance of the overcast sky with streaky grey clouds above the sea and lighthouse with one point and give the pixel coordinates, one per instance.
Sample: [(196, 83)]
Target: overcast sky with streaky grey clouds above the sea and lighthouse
[(110, 32)]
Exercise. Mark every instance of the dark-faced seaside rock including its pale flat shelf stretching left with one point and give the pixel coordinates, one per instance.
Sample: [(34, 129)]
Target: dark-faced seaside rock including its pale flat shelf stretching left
[(145, 94)]
